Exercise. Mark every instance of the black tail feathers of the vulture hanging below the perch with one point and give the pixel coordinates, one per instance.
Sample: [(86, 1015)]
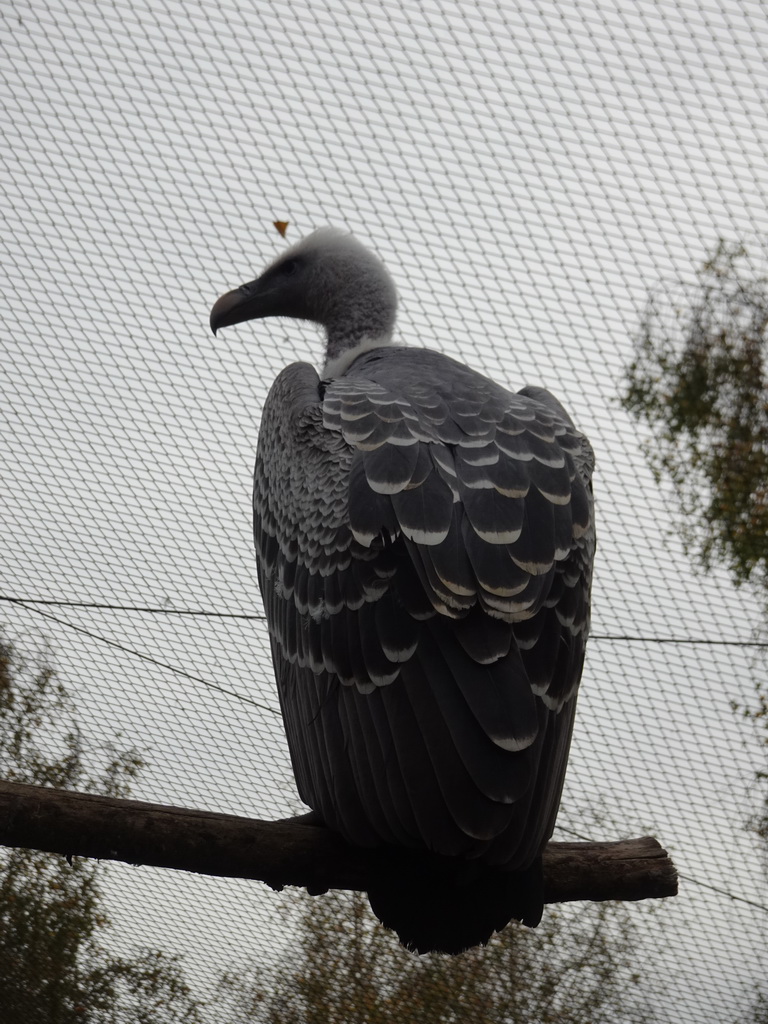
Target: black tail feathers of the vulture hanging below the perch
[(448, 911)]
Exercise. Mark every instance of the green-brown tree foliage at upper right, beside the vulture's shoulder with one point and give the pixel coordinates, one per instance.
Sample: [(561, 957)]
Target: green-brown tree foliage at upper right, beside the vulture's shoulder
[(700, 380)]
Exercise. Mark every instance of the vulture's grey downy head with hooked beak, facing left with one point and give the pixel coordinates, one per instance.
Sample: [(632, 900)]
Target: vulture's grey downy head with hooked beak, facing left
[(328, 278)]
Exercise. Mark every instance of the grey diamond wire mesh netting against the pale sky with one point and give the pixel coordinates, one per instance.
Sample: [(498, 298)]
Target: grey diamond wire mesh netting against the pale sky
[(529, 174)]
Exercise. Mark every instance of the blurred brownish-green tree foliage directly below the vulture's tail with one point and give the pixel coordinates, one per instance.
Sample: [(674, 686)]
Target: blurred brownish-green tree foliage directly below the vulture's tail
[(577, 968)]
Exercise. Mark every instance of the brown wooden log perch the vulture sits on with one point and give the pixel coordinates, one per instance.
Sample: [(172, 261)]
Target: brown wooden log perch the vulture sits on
[(289, 852)]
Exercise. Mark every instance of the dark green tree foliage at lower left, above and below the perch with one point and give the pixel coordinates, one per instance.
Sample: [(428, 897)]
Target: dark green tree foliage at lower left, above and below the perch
[(54, 969)]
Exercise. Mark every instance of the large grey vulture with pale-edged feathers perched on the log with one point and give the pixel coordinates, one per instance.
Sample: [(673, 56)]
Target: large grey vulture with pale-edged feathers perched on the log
[(424, 543)]
